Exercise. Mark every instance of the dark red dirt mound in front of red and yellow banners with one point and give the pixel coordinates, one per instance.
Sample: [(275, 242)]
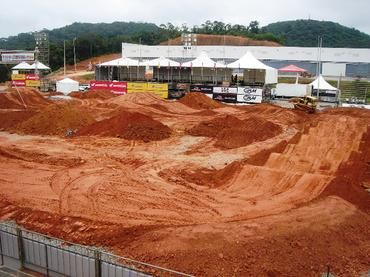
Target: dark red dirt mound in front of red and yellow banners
[(130, 126)]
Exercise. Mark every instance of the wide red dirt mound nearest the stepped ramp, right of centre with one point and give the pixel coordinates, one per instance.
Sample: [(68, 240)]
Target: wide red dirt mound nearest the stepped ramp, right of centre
[(232, 132)]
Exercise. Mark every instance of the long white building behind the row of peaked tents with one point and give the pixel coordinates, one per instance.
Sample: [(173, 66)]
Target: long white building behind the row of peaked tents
[(335, 62)]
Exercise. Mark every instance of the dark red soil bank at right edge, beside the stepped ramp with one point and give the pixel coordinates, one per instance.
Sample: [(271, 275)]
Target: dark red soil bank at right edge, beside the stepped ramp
[(353, 177)]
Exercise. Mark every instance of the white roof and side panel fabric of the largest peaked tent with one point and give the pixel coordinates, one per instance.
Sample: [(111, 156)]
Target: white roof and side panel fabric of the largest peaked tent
[(248, 61)]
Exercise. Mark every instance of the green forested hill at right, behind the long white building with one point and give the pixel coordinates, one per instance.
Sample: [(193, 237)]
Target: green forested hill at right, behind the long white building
[(305, 33)]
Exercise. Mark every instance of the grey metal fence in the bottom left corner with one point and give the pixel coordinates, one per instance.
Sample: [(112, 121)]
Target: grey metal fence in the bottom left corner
[(20, 248)]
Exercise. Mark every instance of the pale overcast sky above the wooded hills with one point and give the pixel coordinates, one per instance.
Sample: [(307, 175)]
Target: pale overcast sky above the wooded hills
[(33, 15)]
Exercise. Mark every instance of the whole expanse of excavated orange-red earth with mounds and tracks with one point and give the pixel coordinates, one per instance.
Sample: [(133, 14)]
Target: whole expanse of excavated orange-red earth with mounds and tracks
[(210, 190)]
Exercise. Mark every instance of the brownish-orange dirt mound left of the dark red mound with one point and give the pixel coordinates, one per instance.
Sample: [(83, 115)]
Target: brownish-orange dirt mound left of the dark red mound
[(56, 120)]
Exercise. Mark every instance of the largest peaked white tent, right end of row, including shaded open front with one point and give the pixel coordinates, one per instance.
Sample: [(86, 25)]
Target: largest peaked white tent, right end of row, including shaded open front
[(254, 70)]
